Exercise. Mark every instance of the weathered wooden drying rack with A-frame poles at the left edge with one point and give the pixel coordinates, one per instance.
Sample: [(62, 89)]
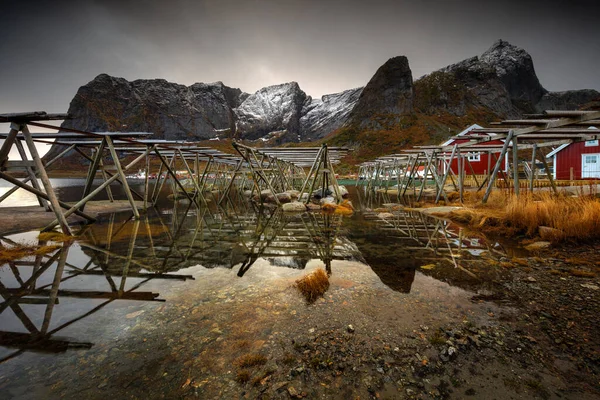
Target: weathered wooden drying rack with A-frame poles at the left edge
[(105, 145)]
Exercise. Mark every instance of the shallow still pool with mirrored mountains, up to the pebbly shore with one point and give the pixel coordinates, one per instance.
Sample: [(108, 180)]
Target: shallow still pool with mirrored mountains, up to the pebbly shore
[(134, 304)]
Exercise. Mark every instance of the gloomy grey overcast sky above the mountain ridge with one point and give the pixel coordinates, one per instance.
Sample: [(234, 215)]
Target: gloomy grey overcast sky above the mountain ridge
[(50, 48)]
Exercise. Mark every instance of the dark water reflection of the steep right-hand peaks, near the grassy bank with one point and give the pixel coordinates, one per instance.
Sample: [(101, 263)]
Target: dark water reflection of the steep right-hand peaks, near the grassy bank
[(398, 242)]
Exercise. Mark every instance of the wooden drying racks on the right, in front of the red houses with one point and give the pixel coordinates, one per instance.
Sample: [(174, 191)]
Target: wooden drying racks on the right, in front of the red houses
[(430, 165)]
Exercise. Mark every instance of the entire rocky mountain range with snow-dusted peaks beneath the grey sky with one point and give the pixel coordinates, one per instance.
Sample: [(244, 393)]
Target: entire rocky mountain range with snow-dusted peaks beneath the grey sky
[(390, 113)]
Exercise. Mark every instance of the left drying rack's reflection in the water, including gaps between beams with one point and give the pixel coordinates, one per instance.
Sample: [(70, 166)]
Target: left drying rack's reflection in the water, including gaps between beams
[(34, 288)]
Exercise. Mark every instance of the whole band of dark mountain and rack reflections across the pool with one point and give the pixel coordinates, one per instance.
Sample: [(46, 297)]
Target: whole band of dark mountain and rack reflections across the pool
[(113, 259)]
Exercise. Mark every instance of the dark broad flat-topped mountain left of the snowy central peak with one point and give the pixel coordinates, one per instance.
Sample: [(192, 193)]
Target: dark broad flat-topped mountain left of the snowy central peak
[(168, 110)]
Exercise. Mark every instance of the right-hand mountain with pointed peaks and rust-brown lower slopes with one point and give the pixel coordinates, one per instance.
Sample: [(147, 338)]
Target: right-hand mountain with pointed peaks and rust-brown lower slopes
[(501, 83)]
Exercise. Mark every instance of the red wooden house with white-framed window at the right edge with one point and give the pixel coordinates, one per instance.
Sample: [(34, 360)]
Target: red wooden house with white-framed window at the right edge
[(575, 161)]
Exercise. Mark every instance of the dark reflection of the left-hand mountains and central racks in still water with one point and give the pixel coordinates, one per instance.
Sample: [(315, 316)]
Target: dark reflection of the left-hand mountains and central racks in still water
[(187, 236)]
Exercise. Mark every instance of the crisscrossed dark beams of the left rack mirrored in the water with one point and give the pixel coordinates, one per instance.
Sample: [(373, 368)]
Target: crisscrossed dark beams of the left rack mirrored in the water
[(40, 338)]
